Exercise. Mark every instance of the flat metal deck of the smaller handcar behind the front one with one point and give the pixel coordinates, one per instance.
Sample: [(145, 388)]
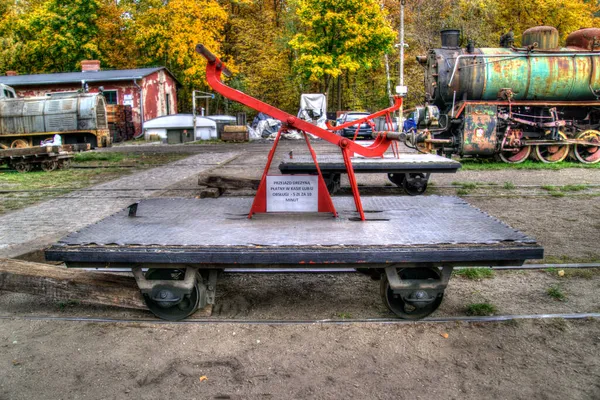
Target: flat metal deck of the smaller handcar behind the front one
[(407, 163)]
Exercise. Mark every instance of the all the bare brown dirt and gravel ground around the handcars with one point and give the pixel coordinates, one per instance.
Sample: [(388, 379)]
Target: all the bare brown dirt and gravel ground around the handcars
[(550, 359)]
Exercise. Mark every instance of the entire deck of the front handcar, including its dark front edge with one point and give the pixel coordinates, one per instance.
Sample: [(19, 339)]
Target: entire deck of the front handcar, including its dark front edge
[(213, 232)]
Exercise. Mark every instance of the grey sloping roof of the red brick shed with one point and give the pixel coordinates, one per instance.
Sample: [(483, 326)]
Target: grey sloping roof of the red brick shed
[(77, 77)]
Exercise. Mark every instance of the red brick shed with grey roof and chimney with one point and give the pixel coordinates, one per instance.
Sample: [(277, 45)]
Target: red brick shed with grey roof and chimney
[(151, 92)]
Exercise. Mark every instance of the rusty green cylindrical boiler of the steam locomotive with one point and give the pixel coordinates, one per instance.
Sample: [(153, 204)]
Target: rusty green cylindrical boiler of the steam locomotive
[(564, 75)]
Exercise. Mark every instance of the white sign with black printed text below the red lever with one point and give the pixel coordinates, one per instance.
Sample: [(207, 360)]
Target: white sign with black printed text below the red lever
[(292, 193)]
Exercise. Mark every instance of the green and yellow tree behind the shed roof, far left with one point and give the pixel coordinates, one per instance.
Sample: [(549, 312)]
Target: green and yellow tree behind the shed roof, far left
[(54, 36)]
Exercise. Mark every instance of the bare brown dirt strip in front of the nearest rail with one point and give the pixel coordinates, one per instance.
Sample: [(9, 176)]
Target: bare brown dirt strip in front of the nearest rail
[(533, 360)]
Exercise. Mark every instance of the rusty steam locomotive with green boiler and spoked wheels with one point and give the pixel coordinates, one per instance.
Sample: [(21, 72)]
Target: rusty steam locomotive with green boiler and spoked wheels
[(538, 100)]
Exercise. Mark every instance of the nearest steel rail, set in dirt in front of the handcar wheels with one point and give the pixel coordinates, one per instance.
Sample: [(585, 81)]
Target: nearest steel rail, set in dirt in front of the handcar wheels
[(358, 321)]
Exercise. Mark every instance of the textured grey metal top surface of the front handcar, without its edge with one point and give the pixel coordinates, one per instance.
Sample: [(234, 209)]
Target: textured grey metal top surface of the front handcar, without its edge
[(222, 222)]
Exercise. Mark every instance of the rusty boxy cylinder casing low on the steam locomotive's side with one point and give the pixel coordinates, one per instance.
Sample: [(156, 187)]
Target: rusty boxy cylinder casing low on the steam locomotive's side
[(479, 135)]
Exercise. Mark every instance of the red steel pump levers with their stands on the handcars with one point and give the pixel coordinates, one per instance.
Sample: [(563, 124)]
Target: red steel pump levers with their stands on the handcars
[(215, 67)]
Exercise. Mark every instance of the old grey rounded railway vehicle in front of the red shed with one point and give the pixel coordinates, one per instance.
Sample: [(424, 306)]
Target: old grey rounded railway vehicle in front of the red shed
[(77, 118)]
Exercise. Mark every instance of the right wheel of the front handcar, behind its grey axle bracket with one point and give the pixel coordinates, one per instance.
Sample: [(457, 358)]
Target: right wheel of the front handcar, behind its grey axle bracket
[(415, 304)]
